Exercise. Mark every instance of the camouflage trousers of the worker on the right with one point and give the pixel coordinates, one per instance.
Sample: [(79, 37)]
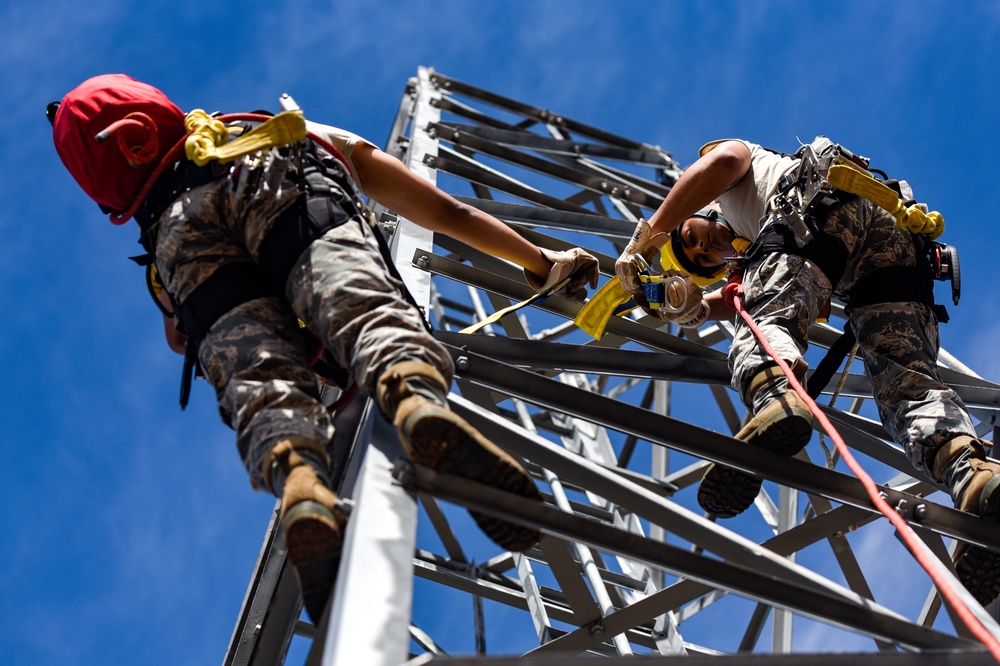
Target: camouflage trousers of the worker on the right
[(784, 293)]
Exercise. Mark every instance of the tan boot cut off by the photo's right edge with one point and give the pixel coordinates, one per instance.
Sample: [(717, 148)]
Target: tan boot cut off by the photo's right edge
[(961, 463)]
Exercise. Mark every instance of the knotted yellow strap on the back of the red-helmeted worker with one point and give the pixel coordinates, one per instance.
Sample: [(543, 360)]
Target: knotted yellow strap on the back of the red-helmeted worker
[(209, 137)]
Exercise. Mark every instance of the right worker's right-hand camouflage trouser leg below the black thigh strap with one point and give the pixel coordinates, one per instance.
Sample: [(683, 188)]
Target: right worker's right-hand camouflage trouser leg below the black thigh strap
[(899, 342)]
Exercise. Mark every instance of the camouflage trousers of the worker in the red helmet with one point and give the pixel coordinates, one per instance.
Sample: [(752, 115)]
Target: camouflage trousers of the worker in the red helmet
[(256, 355)]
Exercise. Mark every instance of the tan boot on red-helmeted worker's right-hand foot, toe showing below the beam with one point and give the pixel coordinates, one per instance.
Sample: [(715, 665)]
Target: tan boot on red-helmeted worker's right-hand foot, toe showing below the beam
[(437, 438)]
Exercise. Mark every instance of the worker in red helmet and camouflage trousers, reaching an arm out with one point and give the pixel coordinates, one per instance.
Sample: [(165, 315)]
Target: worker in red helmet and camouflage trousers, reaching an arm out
[(249, 247)]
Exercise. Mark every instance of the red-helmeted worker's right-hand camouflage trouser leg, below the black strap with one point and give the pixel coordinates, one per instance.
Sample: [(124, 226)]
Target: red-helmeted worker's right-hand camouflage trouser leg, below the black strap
[(342, 289)]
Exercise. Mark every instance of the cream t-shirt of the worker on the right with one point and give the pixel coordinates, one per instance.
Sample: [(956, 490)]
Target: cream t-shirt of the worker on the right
[(745, 203)]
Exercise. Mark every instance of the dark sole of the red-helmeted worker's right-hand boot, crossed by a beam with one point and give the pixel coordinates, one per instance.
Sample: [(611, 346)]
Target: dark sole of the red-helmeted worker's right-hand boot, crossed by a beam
[(443, 442)]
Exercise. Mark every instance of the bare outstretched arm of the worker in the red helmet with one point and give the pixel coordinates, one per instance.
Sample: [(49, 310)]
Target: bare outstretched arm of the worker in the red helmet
[(389, 182)]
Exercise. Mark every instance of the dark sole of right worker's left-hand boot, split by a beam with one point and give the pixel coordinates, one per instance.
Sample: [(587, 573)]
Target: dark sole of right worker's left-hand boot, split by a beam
[(726, 492)]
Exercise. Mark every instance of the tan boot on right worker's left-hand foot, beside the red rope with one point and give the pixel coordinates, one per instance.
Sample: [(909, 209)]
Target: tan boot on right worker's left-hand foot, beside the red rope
[(783, 426)]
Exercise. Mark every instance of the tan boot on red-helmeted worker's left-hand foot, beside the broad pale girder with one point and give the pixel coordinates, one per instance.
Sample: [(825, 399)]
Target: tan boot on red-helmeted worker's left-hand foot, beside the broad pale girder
[(312, 527)]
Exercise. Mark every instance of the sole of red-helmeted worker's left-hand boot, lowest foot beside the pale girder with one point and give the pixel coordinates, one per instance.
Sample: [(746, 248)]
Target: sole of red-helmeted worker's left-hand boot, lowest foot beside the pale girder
[(313, 539)]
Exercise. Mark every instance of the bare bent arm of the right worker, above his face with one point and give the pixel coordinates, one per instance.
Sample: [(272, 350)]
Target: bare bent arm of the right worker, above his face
[(701, 184)]
